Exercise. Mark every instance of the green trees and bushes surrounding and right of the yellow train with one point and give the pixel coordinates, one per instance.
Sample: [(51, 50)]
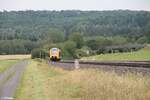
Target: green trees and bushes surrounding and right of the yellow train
[(77, 46)]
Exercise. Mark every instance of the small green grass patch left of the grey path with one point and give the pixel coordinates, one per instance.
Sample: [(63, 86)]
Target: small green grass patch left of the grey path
[(5, 64)]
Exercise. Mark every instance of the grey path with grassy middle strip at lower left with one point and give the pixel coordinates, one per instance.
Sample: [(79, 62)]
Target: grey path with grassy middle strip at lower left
[(9, 80)]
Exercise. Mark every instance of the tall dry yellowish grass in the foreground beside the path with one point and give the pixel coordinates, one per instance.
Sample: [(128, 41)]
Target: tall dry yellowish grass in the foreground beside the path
[(42, 82)]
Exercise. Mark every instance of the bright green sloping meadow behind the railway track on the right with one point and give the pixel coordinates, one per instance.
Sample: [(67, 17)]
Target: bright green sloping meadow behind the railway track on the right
[(143, 55)]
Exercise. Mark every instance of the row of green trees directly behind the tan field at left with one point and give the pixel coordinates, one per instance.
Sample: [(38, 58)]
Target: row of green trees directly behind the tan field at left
[(16, 46)]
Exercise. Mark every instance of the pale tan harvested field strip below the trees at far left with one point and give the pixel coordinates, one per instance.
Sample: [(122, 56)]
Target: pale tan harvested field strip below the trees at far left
[(14, 57)]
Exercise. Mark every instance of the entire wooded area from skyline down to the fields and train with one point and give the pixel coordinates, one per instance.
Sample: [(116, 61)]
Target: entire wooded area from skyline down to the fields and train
[(77, 33)]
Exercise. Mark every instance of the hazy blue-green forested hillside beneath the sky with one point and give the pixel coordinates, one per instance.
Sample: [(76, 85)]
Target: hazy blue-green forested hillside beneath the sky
[(31, 24)]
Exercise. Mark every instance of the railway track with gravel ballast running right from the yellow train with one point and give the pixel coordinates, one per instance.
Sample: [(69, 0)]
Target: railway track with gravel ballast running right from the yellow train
[(119, 67)]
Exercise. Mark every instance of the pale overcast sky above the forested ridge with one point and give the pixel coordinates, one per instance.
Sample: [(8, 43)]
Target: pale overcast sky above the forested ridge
[(74, 5)]
